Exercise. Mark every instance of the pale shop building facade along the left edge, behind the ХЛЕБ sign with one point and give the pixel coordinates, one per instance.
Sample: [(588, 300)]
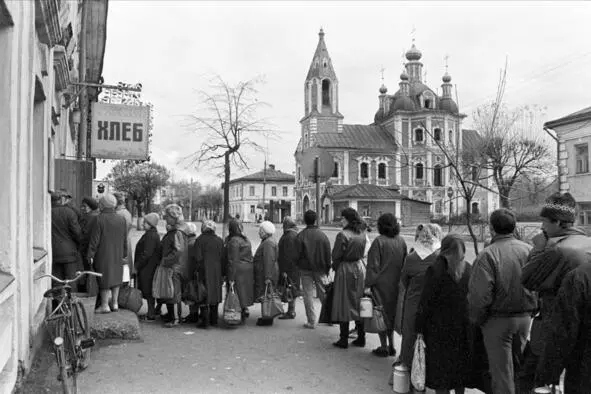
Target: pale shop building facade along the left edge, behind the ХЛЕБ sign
[(39, 51)]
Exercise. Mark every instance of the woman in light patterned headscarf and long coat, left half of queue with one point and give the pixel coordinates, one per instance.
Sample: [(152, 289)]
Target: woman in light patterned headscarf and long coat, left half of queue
[(175, 255)]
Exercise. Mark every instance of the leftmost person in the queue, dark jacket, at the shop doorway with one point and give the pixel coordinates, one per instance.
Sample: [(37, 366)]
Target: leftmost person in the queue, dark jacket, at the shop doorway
[(65, 239)]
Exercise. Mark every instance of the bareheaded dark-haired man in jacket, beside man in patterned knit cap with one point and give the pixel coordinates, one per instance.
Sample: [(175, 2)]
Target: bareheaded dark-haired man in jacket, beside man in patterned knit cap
[(498, 302)]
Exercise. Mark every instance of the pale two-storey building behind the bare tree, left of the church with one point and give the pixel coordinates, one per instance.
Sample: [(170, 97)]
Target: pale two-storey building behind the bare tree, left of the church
[(266, 193)]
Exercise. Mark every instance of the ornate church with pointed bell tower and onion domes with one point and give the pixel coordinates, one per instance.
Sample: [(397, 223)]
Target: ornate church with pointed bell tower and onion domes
[(403, 153)]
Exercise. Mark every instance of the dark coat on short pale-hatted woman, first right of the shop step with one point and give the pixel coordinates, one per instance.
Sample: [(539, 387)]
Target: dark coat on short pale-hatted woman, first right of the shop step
[(146, 259)]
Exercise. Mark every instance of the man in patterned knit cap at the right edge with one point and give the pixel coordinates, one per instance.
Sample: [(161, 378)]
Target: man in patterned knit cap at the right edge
[(557, 251)]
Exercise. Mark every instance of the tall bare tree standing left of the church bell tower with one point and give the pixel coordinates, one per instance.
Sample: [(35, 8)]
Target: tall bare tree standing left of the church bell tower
[(227, 121)]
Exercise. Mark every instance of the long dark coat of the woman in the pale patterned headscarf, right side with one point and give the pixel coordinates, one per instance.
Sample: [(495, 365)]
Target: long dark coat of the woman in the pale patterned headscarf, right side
[(413, 280)]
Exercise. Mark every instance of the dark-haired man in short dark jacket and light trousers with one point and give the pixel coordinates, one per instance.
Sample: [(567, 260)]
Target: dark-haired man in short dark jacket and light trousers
[(314, 264)]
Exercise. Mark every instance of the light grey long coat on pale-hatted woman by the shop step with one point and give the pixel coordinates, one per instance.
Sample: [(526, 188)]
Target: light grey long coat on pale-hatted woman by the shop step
[(107, 246)]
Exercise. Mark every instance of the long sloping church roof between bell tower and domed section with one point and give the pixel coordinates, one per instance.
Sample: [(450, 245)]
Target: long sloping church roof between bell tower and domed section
[(358, 137)]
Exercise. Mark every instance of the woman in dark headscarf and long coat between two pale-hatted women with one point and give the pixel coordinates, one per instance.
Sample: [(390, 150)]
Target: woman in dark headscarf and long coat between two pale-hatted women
[(239, 267)]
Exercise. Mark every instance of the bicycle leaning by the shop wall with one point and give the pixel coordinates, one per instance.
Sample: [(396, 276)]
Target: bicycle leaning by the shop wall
[(68, 327)]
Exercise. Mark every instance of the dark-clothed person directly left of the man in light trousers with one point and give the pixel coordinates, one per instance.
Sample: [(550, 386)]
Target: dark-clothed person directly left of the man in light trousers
[(289, 275)]
